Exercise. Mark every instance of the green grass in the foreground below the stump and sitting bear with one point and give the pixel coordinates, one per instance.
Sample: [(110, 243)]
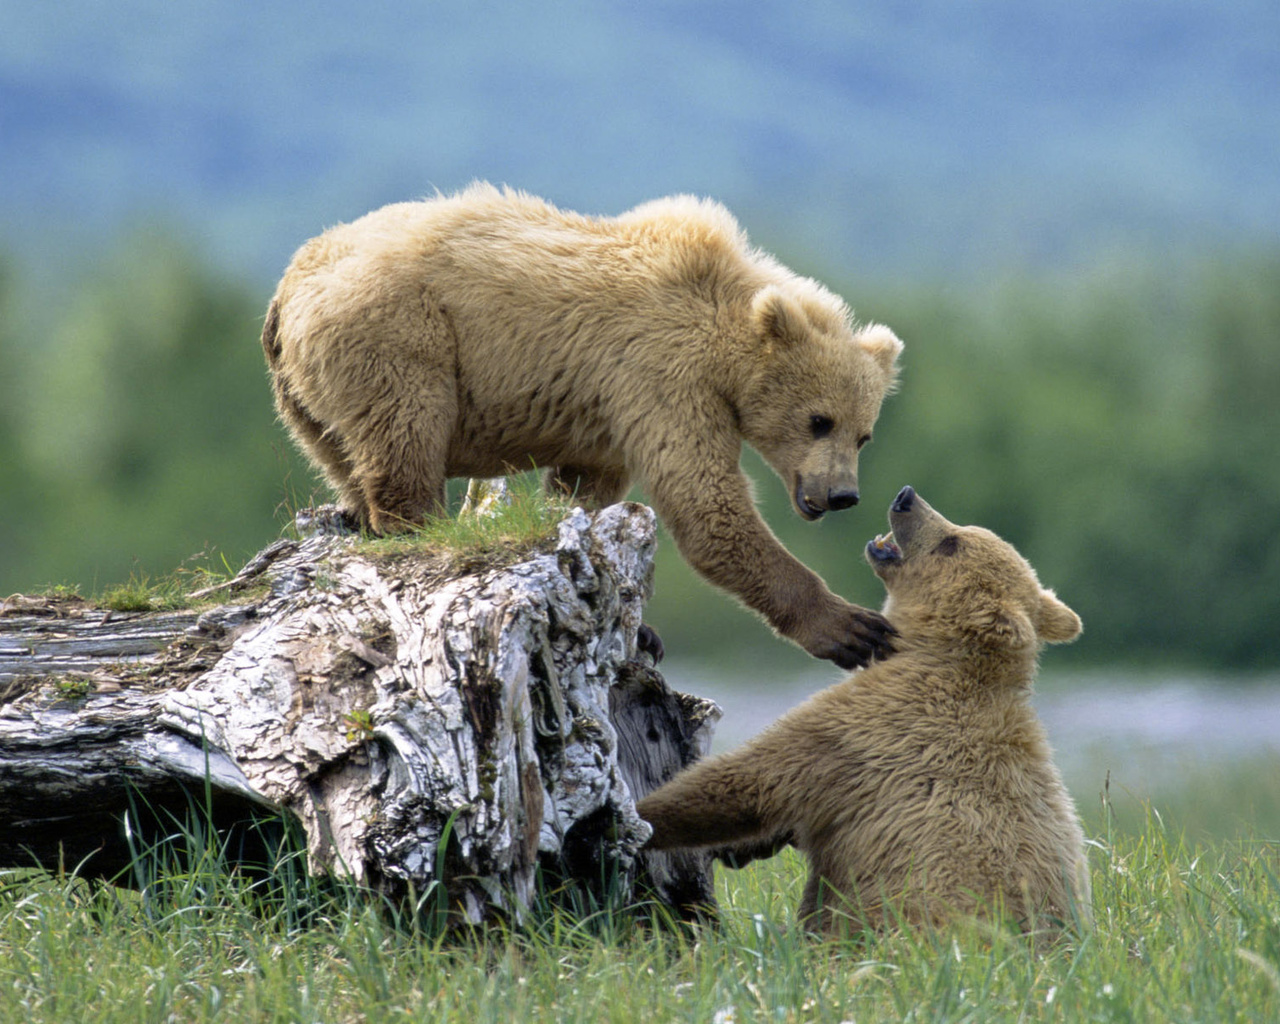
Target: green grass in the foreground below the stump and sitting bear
[(1185, 934)]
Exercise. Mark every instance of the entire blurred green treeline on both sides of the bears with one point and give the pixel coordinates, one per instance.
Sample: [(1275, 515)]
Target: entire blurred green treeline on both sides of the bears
[(1121, 427)]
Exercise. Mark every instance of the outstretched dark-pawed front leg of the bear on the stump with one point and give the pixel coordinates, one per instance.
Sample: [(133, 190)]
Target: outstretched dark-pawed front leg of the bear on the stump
[(719, 532)]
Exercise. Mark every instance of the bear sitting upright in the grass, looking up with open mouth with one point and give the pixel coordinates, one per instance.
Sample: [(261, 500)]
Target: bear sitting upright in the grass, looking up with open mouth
[(924, 787)]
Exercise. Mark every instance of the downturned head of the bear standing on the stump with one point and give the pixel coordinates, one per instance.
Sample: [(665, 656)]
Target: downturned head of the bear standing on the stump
[(817, 392)]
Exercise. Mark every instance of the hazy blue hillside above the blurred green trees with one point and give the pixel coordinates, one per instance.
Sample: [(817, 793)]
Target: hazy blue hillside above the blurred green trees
[(879, 139)]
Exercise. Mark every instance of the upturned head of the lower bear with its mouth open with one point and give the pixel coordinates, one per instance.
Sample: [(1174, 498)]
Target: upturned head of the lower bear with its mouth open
[(963, 583)]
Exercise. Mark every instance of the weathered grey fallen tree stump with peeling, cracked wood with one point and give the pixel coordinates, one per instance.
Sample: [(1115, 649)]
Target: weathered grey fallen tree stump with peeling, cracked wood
[(409, 714)]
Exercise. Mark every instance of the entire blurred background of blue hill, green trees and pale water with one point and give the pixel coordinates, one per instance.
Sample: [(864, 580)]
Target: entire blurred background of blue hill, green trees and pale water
[(1069, 212)]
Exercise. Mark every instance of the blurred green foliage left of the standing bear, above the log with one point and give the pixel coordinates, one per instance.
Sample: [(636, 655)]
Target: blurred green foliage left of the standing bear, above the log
[(140, 428)]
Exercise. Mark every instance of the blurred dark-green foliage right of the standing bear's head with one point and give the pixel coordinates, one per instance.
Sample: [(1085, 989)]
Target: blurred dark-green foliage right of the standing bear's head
[(1119, 428)]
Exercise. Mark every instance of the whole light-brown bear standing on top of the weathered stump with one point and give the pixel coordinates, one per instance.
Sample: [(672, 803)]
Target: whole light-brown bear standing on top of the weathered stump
[(487, 331)]
